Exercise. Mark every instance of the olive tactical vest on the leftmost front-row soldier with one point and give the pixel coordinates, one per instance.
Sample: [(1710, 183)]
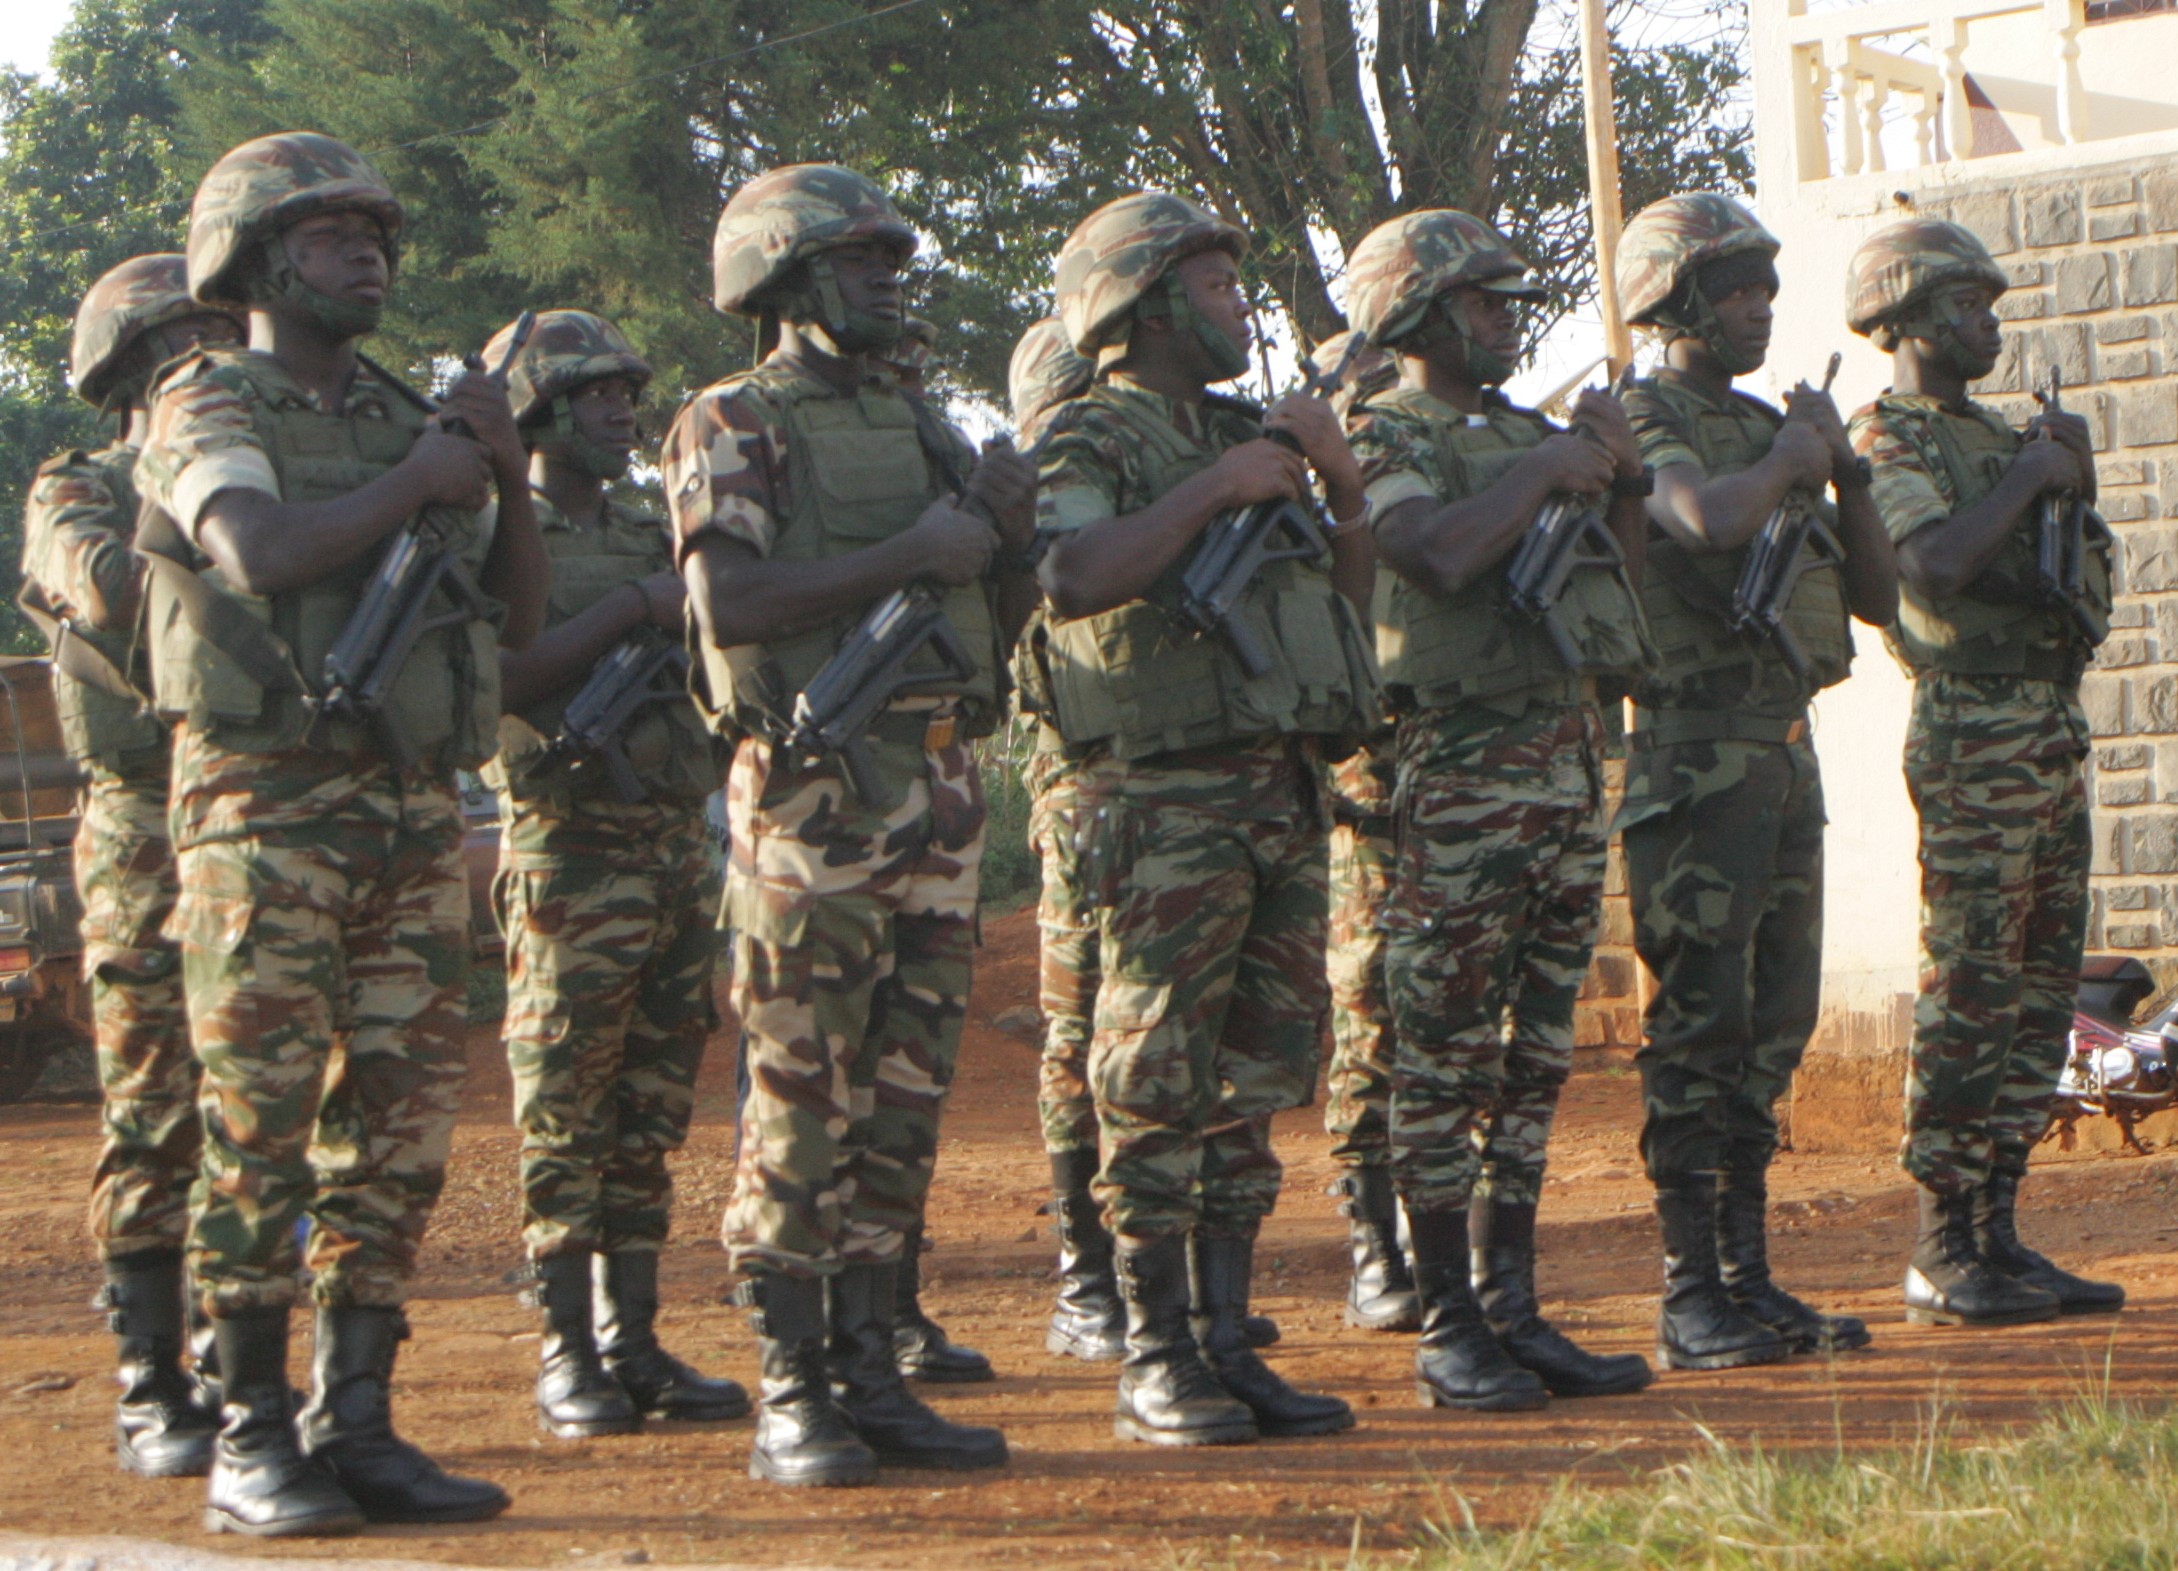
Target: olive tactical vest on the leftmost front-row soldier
[(228, 683)]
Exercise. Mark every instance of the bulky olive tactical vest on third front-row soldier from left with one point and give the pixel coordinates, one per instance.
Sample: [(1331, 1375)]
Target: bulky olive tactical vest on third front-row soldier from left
[(1140, 683)]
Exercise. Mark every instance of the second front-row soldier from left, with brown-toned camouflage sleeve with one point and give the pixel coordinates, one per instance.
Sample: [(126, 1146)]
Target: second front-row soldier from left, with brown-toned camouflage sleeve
[(803, 494)]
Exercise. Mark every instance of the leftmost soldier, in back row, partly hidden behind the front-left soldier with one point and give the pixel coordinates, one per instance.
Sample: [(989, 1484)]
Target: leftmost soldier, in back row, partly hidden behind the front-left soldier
[(84, 589)]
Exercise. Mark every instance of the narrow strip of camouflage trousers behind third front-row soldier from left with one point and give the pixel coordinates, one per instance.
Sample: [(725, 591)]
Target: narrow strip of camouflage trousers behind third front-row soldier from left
[(1068, 958)]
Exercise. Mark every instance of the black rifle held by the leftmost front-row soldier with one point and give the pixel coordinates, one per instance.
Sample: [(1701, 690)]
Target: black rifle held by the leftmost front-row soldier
[(395, 611)]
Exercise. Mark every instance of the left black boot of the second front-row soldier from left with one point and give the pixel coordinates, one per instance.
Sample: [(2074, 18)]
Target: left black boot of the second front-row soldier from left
[(803, 1437)]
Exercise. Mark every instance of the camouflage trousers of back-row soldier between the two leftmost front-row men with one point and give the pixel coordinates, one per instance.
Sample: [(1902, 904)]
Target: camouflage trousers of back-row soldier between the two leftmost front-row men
[(611, 934)]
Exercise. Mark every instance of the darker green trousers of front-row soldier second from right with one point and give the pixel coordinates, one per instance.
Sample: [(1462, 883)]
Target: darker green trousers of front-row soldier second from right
[(1724, 847)]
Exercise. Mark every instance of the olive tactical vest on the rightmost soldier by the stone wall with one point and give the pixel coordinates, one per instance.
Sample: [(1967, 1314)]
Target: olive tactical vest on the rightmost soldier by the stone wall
[(1998, 624)]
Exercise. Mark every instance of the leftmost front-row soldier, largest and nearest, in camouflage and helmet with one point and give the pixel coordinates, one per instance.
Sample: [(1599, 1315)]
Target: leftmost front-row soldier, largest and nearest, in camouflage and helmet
[(323, 914)]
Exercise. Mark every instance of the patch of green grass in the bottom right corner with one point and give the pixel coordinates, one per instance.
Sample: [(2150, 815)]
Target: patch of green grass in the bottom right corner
[(2092, 1485)]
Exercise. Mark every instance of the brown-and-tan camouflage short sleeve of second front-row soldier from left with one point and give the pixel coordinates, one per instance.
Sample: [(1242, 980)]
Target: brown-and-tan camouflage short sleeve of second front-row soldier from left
[(726, 472)]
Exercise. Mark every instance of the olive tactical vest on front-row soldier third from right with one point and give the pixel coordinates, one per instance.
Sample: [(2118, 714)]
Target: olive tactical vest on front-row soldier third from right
[(1463, 648)]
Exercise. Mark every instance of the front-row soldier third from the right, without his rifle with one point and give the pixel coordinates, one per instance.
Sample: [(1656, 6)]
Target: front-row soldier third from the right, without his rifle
[(1500, 816)]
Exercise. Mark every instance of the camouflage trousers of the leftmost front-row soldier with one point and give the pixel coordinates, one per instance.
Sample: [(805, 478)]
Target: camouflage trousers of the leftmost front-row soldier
[(323, 929)]
